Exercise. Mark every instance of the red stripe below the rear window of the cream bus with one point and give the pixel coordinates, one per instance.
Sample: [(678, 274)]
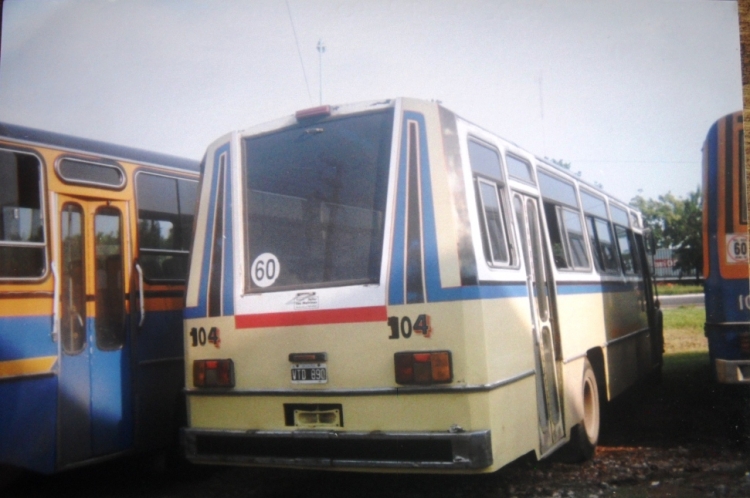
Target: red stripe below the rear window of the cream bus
[(316, 317)]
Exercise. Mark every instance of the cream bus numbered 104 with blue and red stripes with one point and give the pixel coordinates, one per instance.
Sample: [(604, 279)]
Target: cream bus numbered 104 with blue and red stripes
[(386, 286)]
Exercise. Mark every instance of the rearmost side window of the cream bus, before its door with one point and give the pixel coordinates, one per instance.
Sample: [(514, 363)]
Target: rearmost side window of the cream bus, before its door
[(485, 162)]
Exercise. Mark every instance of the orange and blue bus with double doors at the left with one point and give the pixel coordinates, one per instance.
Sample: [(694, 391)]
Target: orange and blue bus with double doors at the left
[(94, 242)]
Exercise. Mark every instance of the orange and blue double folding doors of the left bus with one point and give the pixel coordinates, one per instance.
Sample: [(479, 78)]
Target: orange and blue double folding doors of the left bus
[(94, 383)]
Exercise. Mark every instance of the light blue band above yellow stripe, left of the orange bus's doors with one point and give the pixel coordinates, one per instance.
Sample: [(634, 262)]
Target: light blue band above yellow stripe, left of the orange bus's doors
[(26, 337)]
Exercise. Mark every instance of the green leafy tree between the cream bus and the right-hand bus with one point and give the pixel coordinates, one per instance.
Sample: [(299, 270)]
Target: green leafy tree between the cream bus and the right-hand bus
[(677, 223)]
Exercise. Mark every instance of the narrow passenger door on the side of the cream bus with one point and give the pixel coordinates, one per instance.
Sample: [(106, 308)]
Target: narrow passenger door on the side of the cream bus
[(541, 295)]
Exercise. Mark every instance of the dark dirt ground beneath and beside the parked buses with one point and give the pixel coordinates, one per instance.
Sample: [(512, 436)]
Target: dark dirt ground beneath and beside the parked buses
[(682, 437)]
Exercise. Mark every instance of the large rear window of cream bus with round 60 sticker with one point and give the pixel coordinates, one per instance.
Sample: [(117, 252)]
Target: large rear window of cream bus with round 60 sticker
[(315, 201)]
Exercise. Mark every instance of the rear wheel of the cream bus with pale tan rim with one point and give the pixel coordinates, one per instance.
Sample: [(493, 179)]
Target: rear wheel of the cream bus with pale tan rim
[(585, 435)]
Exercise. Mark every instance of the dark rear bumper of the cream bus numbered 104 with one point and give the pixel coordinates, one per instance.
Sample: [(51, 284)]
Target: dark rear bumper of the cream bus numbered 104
[(340, 449)]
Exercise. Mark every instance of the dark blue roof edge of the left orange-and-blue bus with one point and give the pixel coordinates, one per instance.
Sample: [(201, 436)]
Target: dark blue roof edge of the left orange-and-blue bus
[(114, 151)]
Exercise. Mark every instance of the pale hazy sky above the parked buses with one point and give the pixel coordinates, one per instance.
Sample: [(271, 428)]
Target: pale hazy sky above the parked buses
[(623, 90)]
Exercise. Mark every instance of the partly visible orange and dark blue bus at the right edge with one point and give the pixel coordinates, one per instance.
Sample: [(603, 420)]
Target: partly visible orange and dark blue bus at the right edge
[(725, 260)]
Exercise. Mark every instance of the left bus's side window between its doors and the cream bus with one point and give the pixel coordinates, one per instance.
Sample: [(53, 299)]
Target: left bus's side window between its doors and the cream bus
[(165, 223)]
